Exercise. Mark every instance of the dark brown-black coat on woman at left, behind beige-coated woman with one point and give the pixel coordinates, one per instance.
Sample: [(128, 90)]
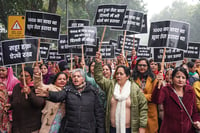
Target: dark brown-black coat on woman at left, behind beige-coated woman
[(26, 112)]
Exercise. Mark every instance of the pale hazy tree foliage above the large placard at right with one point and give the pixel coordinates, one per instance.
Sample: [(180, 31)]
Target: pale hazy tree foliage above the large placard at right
[(181, 11)]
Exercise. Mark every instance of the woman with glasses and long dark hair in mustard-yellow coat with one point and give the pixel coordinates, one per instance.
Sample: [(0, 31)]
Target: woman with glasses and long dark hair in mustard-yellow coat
[(145, 78)]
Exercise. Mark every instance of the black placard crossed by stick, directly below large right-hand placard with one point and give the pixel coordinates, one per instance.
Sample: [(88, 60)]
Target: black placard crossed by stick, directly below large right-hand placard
[(171, 55)]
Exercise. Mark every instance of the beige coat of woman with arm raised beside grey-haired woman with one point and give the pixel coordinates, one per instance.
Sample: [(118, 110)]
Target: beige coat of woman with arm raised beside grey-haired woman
[(50, 110)]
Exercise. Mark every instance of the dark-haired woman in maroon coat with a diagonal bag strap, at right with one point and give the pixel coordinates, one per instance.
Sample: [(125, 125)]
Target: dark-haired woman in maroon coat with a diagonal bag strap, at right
[(176, 119)]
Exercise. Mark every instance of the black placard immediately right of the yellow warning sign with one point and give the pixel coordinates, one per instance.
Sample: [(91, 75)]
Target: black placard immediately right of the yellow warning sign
[(40, 24)]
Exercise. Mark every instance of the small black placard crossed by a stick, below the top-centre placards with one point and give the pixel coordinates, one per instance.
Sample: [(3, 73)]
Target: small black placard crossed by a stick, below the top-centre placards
[(128, 44)]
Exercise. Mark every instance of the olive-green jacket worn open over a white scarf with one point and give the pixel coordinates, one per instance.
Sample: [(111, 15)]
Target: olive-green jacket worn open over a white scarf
[(138, 101)]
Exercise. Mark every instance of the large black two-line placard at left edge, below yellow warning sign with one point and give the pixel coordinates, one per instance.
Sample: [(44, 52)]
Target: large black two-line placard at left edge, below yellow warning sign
[(19, 51)]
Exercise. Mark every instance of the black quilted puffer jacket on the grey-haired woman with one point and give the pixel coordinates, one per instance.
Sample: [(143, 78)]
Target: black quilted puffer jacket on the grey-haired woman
[(84, 113)]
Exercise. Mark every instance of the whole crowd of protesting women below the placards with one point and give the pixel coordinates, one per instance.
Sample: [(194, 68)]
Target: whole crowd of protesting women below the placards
[(101, 96)]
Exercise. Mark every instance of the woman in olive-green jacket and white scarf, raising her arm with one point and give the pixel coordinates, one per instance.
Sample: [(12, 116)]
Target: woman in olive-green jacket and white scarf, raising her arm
[(126, 110)]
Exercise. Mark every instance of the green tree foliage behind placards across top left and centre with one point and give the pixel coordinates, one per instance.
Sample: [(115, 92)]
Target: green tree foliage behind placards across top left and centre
[(76, 9)]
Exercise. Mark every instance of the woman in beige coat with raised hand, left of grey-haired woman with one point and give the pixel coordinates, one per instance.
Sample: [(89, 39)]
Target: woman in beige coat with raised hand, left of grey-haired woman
[(52, 113)]
